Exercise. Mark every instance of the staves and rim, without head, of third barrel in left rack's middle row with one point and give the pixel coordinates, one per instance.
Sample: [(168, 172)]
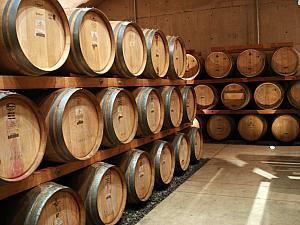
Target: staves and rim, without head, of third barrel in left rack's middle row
[(106, 99)]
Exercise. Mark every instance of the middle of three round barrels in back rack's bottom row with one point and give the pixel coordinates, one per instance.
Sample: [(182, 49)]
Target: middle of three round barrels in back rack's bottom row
[(252, 127)]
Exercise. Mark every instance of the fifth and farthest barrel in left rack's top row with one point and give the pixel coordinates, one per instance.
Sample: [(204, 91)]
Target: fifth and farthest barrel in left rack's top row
[(177, 54)]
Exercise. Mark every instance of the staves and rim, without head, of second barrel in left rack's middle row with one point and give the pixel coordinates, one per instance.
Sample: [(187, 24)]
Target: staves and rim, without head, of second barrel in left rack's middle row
[(55, 138)]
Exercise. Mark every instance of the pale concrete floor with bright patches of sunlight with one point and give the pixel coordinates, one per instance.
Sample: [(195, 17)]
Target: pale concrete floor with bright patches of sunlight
[(240, 185)]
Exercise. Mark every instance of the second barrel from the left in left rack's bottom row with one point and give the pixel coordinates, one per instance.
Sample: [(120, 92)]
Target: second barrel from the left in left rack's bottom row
[(103, 189)]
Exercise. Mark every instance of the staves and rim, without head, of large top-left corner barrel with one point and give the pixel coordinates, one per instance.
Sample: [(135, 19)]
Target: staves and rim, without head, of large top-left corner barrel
[(16, 61)]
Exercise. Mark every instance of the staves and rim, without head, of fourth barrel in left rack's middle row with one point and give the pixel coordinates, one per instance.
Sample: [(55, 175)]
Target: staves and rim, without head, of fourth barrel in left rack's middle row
[(141, 96)]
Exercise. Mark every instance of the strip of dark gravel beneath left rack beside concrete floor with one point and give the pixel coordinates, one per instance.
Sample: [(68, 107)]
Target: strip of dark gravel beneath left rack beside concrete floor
[(133, 214)]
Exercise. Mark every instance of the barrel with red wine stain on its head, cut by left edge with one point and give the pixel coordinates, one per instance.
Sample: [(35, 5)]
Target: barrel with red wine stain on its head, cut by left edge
[(23, 137)]
